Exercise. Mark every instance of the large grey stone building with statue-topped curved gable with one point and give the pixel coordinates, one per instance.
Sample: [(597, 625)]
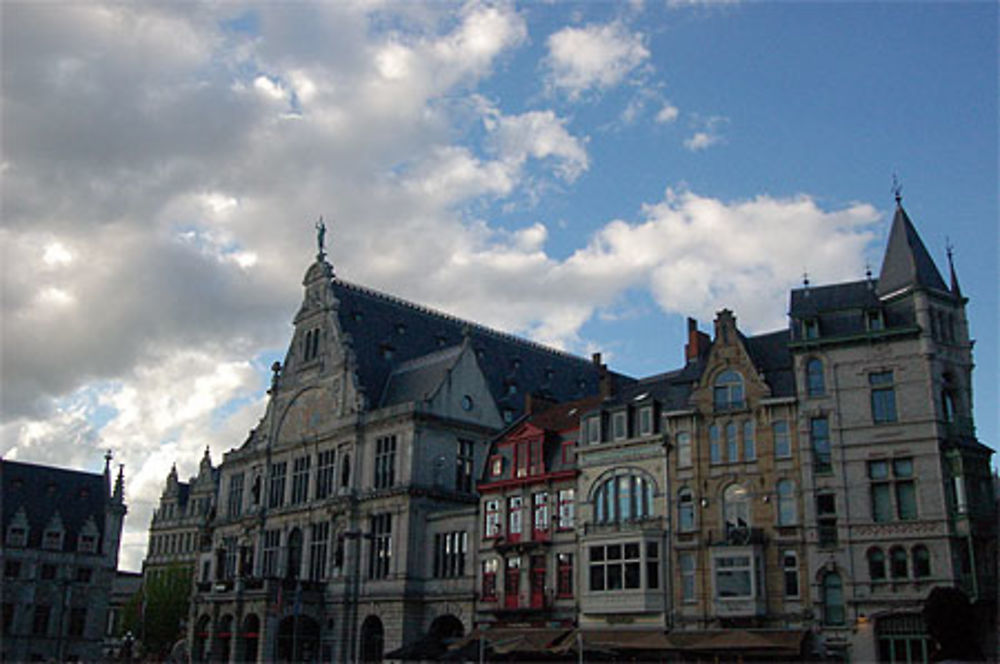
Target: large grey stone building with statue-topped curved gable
[(366, 457)]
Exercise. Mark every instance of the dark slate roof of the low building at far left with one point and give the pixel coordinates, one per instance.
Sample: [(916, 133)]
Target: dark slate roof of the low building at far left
[(44, 490)]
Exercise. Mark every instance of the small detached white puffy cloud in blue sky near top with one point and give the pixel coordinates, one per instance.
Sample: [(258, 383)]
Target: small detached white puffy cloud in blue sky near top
[(594, 57)]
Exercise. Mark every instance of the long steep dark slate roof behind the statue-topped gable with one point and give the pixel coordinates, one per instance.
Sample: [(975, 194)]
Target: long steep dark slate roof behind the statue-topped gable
[(387, 331)]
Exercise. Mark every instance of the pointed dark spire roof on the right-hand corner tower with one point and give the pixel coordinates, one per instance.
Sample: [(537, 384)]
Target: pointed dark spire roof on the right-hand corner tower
[(907, 262)]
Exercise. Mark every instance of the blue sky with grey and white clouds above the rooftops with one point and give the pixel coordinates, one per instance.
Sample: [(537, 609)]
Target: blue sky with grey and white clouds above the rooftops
[(587, 175)]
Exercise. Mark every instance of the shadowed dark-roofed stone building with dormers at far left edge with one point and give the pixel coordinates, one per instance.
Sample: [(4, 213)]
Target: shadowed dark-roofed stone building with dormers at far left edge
[(61, 533)]
